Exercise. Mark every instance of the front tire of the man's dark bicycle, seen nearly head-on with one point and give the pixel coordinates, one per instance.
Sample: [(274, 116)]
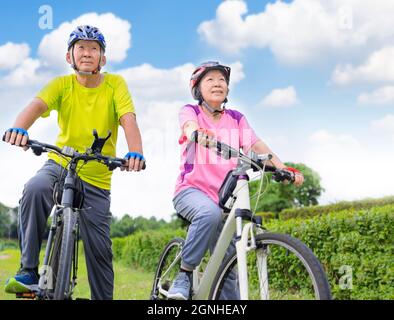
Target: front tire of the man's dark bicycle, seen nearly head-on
[(62, 287)]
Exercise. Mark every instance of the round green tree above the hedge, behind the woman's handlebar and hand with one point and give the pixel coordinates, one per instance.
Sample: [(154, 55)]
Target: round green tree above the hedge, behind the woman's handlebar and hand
[(280, 196)]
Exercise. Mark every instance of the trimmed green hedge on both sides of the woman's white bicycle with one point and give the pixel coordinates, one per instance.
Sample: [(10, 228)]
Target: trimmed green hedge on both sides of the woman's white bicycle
[(361, 239)]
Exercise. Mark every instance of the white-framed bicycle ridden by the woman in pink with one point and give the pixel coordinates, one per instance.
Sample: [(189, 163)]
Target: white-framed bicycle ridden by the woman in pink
[(266, 265)]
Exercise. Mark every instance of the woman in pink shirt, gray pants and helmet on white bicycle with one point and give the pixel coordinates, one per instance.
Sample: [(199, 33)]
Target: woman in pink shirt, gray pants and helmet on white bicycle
[(202, 171)]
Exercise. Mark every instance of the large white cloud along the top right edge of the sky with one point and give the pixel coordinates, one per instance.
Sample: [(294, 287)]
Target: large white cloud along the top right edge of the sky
[(302, 31)]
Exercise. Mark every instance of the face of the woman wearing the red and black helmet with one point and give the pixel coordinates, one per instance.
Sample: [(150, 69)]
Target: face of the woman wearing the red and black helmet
[(214, 88)]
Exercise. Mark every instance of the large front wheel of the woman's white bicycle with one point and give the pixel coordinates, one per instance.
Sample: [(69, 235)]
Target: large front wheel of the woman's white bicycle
[(279, 268)]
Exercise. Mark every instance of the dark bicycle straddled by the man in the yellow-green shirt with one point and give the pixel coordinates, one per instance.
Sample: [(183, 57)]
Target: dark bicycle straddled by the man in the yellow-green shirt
[(58, 275)]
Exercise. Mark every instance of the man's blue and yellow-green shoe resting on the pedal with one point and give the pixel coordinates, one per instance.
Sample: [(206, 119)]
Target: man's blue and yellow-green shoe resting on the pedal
[(26, 280)]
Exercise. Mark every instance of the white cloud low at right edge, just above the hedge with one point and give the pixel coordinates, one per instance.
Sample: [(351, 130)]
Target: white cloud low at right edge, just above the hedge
[(345, 163)]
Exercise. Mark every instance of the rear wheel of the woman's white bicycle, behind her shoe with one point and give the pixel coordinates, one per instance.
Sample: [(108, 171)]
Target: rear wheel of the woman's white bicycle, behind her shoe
[(167, 269)]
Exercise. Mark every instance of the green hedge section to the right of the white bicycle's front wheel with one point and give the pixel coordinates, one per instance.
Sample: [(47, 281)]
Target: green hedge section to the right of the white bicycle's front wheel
[(362, 240)]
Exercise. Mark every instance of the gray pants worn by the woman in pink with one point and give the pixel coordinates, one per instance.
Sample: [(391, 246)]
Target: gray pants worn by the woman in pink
[(206, 225)]
